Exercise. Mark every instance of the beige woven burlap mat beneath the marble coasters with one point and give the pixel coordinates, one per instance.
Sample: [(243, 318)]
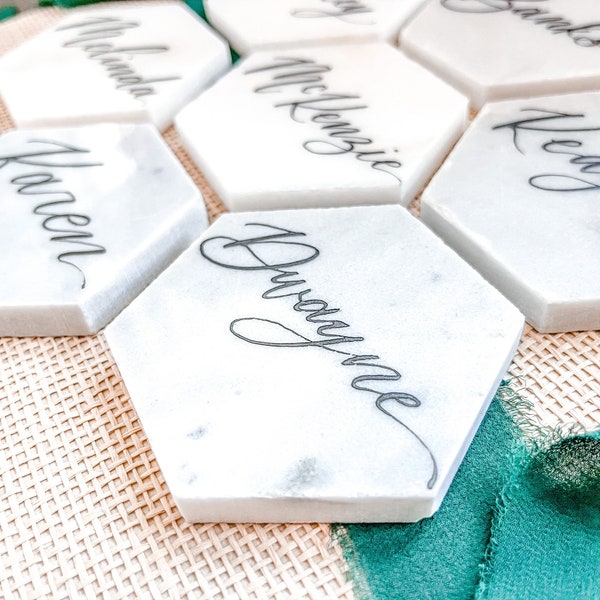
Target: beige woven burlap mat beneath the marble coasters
[(84, 510)]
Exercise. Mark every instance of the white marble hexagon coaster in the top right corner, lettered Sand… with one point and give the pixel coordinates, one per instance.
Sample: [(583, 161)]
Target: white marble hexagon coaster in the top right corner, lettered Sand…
[(499, 49)]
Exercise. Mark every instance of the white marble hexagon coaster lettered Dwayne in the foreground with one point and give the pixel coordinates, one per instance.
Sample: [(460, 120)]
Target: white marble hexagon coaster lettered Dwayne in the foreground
[(318, 365)]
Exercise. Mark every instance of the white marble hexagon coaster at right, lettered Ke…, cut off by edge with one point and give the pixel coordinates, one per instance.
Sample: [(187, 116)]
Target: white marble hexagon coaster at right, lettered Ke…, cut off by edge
[(519, 198)]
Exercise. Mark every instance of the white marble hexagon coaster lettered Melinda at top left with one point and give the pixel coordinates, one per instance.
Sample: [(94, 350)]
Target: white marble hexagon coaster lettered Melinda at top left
[(132, 64)]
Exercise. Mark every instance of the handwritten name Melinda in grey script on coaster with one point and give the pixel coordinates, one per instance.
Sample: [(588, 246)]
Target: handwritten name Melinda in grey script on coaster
[(92, 34)]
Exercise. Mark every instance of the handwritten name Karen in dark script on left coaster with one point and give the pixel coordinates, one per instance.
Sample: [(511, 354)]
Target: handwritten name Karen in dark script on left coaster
[(37, 181)]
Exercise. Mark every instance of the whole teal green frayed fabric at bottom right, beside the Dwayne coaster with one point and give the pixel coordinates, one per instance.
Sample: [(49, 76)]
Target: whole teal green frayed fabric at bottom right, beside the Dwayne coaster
[(521, 520)]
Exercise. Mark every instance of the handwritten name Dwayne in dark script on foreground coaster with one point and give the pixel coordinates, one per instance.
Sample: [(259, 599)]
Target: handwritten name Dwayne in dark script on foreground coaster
[(331, 333)]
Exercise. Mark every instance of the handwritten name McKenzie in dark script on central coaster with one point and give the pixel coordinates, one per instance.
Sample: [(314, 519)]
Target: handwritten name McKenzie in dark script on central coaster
[(301, 90)]
